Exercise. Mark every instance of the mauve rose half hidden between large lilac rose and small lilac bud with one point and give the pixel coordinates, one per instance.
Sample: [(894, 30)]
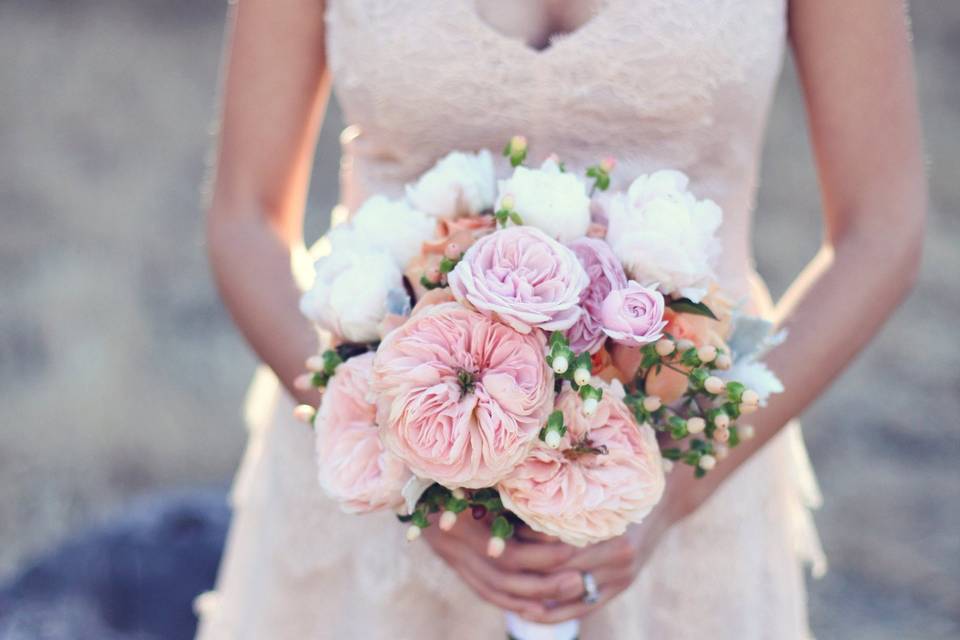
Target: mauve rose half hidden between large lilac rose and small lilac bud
[(604, 274)]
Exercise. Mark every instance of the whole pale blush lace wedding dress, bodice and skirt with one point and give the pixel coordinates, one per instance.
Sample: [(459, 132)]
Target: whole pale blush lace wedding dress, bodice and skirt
[(678, 84)]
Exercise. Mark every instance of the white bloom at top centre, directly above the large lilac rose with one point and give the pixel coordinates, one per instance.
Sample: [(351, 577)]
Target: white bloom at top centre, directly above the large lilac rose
[(550, 200)]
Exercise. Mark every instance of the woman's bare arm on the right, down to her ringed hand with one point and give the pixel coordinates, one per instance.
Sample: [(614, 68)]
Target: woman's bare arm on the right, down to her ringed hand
[(855, 65)]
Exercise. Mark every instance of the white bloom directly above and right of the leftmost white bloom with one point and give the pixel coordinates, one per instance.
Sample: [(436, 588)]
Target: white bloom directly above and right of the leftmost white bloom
[(392, 226)]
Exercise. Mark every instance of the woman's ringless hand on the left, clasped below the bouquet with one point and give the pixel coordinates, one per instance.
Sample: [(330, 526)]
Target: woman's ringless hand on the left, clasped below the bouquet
[(525, 579)]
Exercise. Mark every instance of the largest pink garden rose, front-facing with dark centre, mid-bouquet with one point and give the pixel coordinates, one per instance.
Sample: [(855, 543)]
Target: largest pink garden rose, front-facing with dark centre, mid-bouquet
[(461, 398)]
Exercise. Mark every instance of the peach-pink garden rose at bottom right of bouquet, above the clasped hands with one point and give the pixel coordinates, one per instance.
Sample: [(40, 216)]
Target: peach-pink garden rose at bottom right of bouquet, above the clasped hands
[(582, 497)]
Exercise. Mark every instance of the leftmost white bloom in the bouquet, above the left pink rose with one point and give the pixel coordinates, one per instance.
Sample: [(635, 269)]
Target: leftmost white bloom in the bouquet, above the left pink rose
[(349, 296)]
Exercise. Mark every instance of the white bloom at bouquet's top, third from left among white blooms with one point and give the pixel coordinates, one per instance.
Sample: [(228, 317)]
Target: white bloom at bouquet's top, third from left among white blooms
[(459, 184)]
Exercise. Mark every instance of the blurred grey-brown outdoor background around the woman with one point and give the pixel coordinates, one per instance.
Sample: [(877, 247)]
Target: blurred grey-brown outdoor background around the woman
[(122, 379)]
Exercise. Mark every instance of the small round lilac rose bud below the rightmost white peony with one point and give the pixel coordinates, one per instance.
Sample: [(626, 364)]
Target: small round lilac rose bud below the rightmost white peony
[(633, 315)]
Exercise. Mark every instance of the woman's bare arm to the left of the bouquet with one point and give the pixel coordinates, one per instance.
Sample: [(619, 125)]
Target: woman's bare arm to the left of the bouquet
[(274, 96)]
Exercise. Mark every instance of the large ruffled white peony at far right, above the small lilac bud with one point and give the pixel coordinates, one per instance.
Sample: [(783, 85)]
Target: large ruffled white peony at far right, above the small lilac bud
[(662, 233)]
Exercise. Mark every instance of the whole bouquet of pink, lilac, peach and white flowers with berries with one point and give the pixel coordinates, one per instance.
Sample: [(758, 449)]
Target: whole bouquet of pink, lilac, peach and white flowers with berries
[(536, 351)]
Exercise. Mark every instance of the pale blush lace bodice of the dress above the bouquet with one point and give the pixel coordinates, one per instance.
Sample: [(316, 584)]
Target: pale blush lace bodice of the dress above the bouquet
[(678, 84)]
